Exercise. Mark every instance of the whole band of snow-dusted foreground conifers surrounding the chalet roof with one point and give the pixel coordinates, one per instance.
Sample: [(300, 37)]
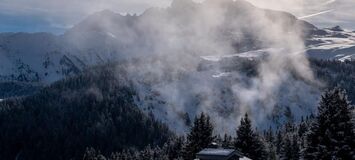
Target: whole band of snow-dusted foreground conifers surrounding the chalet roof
[(327, 135)]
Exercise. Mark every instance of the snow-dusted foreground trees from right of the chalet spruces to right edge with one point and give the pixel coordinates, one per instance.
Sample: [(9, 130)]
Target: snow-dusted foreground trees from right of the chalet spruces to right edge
[(327, 135)]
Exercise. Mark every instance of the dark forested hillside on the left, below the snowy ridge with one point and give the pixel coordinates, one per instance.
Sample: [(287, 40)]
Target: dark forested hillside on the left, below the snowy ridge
[(94, 109)]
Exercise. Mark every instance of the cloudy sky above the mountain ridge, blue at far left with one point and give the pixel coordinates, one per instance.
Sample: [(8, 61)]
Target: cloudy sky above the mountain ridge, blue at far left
[(58, 15)]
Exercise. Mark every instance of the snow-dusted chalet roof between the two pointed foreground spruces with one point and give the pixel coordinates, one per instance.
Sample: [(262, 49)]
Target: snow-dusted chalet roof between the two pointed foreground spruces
[(220, 154)]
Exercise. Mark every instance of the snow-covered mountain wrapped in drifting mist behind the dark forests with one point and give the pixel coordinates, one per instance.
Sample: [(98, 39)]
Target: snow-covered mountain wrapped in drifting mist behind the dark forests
[(182, 56)]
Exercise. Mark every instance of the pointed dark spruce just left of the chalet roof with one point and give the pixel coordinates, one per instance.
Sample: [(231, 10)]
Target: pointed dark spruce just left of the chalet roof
[(200, 136)]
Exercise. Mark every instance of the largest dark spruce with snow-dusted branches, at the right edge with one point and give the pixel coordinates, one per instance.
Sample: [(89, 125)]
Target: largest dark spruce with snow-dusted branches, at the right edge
[(331, 135)]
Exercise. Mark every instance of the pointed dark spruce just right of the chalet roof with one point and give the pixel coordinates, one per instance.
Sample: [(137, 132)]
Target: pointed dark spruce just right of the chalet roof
[(248, 142)]
